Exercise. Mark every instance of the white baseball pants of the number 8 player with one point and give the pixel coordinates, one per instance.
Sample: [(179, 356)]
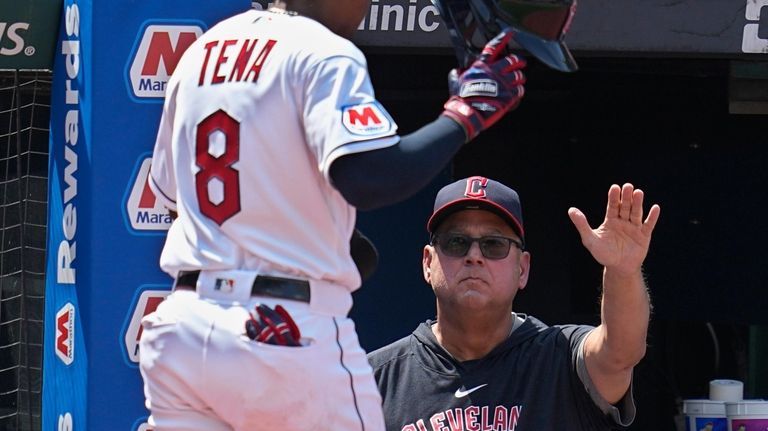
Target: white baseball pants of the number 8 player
[(201, 373)]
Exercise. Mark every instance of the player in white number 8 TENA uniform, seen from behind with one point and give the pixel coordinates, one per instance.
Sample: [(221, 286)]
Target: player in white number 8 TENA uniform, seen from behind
[(270, 138)]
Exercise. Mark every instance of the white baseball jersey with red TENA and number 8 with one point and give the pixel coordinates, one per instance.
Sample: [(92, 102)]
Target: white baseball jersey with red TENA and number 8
[(255, 113)]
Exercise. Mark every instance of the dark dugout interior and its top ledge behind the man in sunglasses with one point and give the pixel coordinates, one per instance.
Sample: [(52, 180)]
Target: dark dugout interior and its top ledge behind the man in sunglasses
[(671, 98)]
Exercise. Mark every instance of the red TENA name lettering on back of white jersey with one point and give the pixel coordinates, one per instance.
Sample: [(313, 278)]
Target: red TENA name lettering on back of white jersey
[(234, 60)]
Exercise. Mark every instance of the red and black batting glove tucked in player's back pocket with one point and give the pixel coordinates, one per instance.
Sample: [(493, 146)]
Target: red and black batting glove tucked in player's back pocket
[(272, 326)]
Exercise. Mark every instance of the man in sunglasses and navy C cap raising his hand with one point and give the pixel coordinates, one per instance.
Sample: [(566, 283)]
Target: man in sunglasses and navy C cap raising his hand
[(480, 365)]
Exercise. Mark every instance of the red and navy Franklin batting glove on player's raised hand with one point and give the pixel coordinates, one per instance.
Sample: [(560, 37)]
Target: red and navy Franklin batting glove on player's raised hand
[(488, 89)]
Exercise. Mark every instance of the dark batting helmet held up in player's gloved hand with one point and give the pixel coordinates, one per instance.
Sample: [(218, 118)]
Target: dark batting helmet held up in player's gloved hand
[(539, 26)]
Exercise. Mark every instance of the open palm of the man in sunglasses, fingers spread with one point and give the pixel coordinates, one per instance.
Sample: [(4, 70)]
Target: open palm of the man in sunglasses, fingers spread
[(621, 241)]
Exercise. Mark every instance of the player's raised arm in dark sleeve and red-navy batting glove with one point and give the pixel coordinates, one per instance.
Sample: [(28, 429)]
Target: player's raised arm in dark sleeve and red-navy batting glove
[(479, 97)]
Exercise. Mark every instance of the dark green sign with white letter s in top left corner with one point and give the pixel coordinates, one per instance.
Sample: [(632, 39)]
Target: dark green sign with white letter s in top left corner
[(27, 33)]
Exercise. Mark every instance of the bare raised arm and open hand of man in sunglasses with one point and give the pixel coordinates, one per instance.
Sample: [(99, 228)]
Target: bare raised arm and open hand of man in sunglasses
[(620, 244)]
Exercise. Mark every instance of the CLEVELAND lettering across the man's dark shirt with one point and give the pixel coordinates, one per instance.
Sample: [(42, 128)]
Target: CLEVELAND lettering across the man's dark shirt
[(500, 418)]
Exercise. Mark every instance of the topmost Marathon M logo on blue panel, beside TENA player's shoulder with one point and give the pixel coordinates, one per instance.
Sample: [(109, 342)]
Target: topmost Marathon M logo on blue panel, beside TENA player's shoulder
[(156, 56)]
